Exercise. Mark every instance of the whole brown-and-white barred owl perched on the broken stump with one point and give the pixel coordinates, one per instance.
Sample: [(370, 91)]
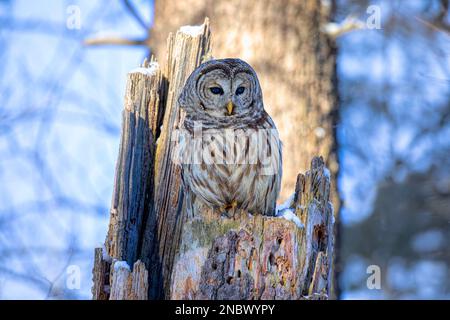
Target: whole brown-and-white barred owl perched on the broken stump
[(230, 150)]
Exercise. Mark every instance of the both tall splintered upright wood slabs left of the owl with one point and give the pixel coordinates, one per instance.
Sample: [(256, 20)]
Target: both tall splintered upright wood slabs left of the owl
[(147, 198)]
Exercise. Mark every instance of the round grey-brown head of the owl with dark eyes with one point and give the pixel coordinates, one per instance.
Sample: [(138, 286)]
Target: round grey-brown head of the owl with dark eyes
[(222, 89)]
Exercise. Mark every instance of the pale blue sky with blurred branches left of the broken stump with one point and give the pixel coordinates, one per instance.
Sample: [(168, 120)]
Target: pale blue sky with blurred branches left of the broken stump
[(60, 139)]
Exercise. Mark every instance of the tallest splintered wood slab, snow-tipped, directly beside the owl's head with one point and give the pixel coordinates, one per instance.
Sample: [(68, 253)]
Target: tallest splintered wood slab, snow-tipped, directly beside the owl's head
[(186, 50)]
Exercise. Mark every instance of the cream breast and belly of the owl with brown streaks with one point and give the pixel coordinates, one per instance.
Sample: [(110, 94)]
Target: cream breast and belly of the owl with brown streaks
[(226, 166)]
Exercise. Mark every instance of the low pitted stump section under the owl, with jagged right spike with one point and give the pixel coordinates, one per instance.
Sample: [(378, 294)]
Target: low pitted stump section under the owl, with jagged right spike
[(260, 257)]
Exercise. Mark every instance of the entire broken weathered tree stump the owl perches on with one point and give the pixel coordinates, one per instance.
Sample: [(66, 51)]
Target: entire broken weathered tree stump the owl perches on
[(206, 256)]
